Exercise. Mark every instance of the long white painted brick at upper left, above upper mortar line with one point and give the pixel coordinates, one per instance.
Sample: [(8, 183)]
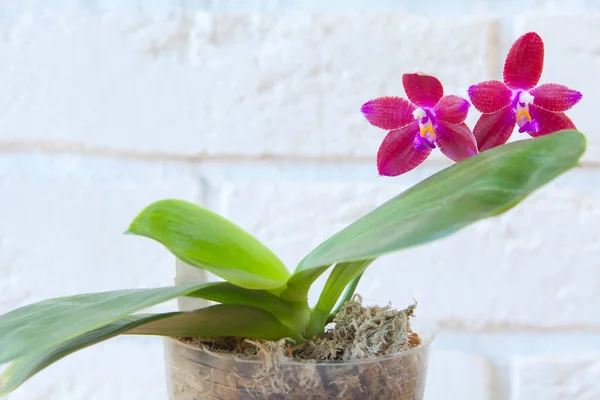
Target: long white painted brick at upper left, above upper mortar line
[(250, 84)]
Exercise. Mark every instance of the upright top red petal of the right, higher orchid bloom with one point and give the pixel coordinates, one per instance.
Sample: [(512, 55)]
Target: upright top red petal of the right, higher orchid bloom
[(525, 61)]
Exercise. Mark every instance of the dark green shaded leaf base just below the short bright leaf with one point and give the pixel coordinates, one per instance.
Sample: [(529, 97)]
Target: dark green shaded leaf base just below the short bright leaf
[(294, 315)]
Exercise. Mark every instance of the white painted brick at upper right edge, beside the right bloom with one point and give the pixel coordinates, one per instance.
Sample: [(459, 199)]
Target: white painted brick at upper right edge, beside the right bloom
[(572, 44)]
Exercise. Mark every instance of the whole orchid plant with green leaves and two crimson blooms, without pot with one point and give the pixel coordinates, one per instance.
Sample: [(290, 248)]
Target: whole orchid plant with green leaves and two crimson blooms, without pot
[(259, 297)]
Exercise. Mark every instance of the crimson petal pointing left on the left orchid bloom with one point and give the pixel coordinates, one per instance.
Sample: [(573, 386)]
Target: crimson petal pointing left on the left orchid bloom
[(388, 112)]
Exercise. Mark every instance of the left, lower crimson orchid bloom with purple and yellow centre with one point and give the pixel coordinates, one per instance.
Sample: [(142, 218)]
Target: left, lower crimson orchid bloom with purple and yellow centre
[(416, 126)]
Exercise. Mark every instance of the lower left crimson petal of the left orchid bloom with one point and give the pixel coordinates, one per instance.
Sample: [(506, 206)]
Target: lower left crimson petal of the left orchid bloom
[(397, 153)]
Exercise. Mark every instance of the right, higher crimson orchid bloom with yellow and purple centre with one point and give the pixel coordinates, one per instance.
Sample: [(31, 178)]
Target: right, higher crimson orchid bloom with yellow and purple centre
[(516, 101)]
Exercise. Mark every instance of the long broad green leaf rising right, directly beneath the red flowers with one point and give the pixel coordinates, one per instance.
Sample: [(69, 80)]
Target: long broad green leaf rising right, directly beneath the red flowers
[(479, 187)]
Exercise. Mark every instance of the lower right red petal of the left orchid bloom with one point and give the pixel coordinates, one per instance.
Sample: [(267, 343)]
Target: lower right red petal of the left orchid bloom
[(456, 141)]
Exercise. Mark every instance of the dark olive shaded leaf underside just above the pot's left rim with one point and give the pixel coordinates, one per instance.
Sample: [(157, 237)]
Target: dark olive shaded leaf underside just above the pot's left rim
[(220, 320)]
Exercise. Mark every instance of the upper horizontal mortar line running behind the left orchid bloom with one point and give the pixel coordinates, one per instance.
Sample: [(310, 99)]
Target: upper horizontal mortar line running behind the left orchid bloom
[(78, 149)]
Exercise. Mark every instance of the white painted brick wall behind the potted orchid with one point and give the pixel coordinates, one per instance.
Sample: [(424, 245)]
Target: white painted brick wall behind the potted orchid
[(251, 108)]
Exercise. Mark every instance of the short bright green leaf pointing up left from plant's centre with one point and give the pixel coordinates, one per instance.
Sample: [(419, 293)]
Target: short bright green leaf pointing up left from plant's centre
[(206, 240)]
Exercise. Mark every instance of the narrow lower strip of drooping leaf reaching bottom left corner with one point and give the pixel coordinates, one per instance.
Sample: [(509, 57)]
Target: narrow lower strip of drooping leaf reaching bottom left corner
[(24, 368)]
